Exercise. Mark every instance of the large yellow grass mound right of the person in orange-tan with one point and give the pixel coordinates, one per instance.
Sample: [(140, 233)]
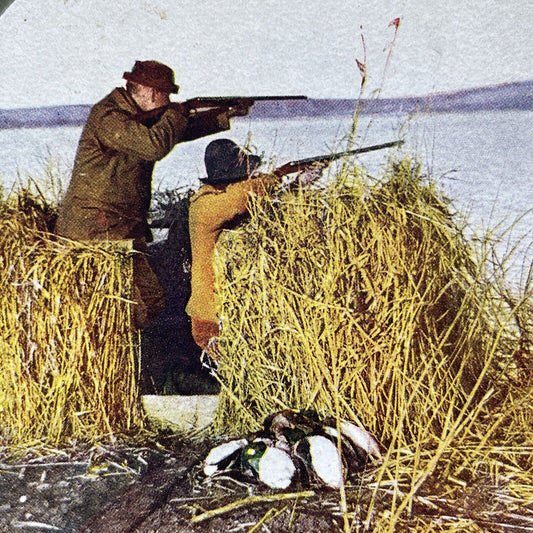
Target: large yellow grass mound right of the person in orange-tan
[(364, 300)]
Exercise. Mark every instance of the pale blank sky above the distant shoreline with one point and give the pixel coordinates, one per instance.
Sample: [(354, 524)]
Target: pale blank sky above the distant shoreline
[(58, 52)]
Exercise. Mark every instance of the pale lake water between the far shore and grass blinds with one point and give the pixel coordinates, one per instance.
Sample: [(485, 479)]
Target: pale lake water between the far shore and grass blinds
[(482, 161)]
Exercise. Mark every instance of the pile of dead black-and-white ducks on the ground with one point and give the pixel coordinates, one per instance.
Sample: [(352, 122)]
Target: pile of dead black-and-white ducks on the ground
[(297, 447)]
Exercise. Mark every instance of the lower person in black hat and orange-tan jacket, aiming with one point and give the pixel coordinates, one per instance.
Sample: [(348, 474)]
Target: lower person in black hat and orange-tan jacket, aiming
[(220, 203)]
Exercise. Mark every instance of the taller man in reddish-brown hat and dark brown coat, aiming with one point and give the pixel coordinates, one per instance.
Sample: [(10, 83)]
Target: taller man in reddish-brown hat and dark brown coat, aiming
[(109, 194)]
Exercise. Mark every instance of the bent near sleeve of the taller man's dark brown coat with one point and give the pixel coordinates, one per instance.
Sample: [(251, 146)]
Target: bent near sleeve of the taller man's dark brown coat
[(119, 131)]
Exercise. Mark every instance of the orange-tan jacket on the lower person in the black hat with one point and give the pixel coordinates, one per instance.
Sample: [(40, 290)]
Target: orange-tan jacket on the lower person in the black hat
[(213, 209)]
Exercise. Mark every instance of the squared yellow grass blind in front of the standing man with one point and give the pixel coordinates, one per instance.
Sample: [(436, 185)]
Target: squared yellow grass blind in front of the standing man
[(68, 363)]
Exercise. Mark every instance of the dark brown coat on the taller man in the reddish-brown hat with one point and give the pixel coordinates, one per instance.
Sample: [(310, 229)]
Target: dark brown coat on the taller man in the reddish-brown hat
[(110, 190)]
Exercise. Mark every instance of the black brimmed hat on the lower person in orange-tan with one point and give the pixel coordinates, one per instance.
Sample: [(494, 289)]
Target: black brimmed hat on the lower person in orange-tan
[(225, 162)]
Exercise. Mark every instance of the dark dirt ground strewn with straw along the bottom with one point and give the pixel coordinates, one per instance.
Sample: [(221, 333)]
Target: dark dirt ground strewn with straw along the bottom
[(160, 488)]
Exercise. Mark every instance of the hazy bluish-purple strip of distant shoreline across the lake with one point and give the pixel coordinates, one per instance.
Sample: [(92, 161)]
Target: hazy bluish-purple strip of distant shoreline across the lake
[(509, 96)]
